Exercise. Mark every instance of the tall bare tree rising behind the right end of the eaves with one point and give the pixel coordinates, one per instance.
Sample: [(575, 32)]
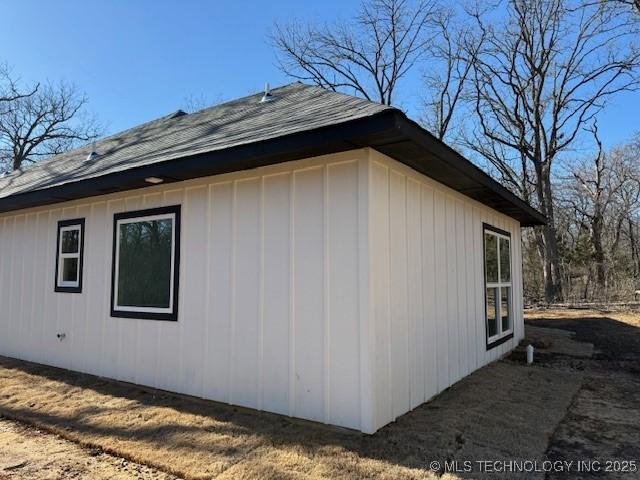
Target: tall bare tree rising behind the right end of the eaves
[(545, 70)]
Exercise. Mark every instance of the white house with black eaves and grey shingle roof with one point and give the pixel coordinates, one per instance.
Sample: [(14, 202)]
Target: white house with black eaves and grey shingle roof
[(307, 253)]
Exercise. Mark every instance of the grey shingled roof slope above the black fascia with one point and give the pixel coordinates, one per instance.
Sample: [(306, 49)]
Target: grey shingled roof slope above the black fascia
[(296, 107)]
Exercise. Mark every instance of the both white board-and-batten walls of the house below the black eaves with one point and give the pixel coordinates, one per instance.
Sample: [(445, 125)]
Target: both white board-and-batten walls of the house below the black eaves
[(345, 288)]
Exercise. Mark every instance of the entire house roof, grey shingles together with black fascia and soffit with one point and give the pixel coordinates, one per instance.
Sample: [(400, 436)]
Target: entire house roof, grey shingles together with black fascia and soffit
[(300, 122)]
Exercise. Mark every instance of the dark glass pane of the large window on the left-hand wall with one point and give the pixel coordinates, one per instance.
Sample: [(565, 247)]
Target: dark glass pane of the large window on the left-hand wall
[(144, 264)]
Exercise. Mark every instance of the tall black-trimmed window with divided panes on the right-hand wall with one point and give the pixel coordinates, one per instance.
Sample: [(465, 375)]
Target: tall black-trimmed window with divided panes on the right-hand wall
[(497, 269)]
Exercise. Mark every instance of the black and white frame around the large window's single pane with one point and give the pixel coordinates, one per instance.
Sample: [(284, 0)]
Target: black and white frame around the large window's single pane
[(171, 316)]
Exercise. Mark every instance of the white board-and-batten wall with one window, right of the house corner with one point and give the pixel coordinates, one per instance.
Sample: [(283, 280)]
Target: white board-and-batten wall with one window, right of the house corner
[(427, 273)]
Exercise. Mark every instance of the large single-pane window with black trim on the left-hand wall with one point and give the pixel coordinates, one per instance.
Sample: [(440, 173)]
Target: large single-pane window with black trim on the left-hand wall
[(146, 261)]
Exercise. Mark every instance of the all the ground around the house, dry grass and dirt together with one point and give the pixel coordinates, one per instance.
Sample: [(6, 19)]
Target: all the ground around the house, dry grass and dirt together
[(581, 400)]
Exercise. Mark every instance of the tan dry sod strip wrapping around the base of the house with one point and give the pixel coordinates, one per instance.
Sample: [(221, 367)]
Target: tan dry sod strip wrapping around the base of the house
[(491, 414)]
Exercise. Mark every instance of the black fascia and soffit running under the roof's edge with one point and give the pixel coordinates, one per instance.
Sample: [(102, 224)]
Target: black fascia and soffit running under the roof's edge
[(389, 132)]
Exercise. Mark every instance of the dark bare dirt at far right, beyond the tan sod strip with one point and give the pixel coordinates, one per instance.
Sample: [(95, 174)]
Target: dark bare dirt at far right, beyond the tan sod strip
[(603, 421)]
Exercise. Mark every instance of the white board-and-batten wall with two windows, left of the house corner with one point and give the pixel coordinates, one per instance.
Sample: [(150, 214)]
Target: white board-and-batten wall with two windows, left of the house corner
[(269, 300)]
